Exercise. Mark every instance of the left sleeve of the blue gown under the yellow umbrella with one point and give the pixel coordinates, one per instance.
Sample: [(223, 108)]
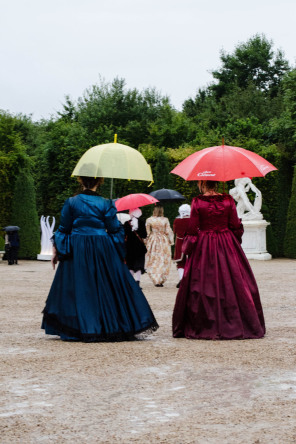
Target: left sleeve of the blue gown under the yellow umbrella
[(62, 237)]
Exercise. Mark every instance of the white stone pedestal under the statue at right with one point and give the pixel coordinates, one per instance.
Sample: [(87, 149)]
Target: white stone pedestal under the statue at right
[(254, 240)]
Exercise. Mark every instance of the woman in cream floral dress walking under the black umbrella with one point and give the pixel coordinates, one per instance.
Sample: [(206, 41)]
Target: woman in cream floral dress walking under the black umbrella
[(160, 237)]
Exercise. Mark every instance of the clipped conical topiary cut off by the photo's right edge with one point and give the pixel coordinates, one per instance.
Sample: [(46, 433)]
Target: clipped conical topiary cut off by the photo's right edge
[(290, 238)]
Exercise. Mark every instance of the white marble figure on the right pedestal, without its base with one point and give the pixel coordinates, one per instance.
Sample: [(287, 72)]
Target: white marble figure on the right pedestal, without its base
[(245, 209)]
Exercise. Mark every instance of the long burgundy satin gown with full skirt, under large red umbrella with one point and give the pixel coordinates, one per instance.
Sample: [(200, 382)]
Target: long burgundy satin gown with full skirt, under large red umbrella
[(218, 296)]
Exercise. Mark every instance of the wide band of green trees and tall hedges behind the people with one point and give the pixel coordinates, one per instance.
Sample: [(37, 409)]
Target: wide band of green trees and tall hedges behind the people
[(251, 102)]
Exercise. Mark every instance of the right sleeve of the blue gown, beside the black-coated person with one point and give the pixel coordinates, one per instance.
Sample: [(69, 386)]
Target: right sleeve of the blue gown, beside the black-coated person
[(115, 229)]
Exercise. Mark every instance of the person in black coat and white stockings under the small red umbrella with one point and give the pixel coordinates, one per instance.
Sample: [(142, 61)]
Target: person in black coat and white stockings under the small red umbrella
[(135, 232)]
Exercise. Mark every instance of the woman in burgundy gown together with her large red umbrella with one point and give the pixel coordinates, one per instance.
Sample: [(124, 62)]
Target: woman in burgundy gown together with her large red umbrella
[(218, 296)]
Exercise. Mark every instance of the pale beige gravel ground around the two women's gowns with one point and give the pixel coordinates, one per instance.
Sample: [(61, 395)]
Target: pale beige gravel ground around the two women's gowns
[(159, 390)]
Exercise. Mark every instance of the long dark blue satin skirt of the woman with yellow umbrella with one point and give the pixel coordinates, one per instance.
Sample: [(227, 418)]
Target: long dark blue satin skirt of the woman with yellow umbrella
[(94, 297)]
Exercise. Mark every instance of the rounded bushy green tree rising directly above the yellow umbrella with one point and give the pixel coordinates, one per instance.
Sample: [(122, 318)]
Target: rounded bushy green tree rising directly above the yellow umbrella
[(107, 108)]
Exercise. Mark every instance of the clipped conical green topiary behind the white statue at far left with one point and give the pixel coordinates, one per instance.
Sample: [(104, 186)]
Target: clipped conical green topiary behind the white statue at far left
[(24, 214)]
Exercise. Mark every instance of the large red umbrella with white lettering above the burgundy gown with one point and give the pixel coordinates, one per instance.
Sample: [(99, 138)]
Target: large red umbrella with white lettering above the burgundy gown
[(222, 163)]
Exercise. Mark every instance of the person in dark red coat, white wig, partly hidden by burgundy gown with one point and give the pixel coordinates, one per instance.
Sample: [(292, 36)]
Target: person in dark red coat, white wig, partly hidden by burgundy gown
[(179, 228)]
